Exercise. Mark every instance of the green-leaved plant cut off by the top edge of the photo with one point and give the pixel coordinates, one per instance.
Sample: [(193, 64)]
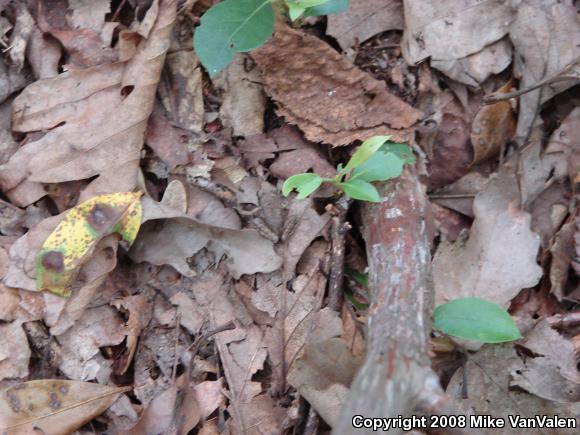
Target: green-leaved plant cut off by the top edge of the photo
[(238, 26)]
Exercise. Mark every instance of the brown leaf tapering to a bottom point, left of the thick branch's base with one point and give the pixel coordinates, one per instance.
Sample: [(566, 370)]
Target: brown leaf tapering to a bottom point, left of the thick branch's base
[(323, 375)]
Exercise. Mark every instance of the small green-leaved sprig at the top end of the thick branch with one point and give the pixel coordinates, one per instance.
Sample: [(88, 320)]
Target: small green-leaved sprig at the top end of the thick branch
[(376, 159)]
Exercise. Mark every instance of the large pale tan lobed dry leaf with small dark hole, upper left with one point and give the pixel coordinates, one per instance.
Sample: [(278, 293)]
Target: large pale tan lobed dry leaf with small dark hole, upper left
[(96, 117)]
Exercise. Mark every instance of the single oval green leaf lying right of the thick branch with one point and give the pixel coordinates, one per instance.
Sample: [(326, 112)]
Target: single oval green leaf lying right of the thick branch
[(476, 319)]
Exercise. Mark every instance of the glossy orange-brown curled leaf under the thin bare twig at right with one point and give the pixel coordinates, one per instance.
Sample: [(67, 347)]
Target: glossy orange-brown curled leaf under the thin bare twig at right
[(492, 129)]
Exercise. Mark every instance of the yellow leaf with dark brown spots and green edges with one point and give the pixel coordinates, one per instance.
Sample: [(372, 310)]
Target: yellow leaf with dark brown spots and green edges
[(72, 242)]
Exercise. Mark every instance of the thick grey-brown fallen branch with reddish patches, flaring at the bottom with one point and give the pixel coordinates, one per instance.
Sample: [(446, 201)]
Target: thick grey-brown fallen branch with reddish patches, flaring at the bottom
[(396, 377)]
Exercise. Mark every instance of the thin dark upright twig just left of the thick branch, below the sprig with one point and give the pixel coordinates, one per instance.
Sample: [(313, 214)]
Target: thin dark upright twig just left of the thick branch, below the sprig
[(338, 232)]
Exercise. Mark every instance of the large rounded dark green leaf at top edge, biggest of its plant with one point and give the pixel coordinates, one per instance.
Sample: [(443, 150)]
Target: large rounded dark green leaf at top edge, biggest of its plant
[(232, 26)]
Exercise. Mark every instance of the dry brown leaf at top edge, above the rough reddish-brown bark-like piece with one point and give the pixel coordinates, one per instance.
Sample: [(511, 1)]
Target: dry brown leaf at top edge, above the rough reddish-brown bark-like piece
[(363, 19)]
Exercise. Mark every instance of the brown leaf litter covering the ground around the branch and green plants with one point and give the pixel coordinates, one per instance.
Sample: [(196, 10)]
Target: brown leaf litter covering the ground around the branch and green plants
[(217, 314)]
